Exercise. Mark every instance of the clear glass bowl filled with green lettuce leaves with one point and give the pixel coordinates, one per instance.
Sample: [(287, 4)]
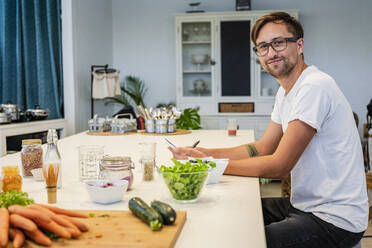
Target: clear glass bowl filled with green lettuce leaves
[(185, 181)]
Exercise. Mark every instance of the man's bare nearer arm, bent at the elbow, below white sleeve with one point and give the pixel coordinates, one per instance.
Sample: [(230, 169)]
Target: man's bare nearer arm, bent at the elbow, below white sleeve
[(279, 164)]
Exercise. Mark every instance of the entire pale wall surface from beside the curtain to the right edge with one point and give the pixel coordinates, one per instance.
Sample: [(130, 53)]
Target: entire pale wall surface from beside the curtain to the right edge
[(137, 37)]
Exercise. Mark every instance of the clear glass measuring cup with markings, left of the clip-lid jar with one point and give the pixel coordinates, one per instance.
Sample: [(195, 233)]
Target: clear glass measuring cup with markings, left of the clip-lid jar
[(89, 160)]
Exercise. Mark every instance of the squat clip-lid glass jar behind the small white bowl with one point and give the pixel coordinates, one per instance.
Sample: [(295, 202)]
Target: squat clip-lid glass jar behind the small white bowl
[(117, 168)]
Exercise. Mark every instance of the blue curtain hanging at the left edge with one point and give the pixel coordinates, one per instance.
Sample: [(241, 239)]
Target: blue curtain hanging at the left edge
[(31, 54)]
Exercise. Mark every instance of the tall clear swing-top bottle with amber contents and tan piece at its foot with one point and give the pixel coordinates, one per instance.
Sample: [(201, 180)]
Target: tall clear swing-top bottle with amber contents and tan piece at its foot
[(52, 166)]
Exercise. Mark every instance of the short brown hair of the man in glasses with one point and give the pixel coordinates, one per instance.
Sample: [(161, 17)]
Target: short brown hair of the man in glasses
[(293, 25)]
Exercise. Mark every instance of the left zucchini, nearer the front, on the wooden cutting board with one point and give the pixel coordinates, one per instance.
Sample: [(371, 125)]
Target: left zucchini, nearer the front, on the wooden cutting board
[(144, 212)]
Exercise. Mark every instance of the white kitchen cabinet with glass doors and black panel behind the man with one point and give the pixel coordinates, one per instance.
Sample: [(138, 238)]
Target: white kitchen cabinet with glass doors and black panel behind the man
[(217, 70)]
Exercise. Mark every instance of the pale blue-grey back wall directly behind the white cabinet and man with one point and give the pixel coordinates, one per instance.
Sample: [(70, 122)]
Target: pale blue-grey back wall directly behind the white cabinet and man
[(337, 34)]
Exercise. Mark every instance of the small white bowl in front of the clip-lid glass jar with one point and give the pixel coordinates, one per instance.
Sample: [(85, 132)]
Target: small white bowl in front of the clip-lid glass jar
[(106, 195)]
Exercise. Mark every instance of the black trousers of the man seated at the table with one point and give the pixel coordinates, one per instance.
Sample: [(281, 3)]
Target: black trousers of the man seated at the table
[(286, 226)]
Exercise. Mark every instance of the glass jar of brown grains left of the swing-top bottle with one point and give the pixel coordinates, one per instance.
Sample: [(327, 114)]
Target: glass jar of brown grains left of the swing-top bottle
[(31, 155)]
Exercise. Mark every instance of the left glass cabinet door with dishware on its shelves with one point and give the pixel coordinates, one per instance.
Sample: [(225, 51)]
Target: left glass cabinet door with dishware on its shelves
[(196, 59)]
